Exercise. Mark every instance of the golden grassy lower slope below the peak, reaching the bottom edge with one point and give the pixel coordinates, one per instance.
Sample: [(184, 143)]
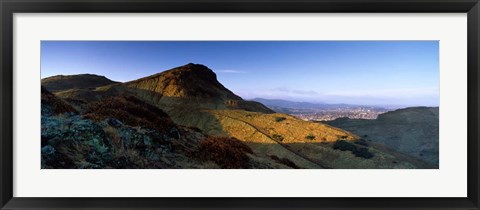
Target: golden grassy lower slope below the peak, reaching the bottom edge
[(285, 136)]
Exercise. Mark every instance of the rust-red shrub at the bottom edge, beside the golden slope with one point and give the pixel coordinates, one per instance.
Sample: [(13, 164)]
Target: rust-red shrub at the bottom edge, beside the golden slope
[(225, 152)]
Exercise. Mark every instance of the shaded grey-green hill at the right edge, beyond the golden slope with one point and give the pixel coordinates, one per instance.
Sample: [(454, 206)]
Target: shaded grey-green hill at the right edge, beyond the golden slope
[(413, 131)]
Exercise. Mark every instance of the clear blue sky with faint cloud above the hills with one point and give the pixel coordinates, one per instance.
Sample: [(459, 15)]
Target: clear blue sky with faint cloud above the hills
[(353, 72)]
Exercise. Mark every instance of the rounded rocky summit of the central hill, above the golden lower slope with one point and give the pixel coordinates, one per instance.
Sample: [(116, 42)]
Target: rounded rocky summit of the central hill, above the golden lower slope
[(193, 85)]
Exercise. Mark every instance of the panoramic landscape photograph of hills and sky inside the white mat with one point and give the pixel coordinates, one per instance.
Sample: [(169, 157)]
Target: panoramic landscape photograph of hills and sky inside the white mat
[(240, 105)]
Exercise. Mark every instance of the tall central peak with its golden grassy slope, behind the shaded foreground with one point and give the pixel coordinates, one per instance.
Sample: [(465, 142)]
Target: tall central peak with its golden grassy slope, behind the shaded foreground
[(193, 97)]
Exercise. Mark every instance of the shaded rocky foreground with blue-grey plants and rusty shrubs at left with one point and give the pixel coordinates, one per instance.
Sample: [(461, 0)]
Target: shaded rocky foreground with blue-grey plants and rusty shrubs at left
[(118, 132)]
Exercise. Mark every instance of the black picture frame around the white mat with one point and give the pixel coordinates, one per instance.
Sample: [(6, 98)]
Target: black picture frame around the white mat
[(9, 7)]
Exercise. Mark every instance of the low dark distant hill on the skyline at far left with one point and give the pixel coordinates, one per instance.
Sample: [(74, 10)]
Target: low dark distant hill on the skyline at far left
[(81, 81)]
